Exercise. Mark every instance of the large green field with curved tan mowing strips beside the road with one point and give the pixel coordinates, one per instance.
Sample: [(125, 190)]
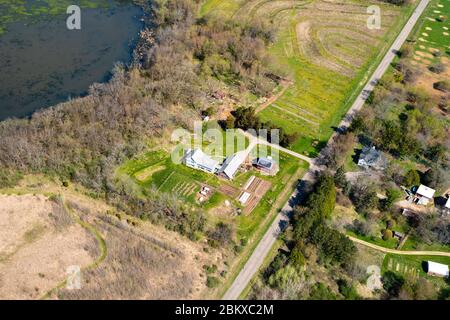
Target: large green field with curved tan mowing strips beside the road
[(326, 49)]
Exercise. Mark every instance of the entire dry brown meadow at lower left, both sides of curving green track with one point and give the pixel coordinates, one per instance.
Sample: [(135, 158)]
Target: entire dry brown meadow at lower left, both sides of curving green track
[(143, 261)]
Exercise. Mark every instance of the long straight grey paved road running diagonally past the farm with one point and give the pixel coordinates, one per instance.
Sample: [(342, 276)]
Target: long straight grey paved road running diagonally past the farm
[(256, 259)]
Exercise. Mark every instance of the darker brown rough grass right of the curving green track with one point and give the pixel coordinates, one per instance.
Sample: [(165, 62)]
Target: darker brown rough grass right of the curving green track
[(142, 265)]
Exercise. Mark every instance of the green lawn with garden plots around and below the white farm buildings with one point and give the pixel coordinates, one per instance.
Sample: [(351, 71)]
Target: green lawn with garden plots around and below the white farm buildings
[(155, 169)]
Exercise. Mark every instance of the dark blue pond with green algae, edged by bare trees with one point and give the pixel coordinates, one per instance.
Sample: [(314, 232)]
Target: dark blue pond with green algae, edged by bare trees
[(43, 63)]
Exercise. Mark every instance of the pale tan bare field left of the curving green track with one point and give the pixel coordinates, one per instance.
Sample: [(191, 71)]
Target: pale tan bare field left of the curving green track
[(34, 251)]
